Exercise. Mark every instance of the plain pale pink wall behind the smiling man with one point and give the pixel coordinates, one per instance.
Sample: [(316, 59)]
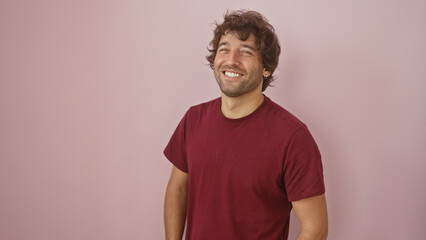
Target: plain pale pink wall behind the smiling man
[(91, 91)]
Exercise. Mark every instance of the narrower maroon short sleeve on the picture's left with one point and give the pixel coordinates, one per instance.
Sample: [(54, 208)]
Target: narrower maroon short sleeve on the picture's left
[(175, 150)]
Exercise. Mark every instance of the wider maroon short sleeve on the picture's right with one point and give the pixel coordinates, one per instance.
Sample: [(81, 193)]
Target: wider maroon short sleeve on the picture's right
[(303, 171)]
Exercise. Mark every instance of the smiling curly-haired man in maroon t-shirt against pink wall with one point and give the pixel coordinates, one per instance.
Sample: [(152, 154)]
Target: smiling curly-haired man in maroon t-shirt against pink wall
[(241, 162)]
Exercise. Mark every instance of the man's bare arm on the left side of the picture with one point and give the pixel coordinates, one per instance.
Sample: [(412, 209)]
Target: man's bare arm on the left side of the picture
[(175, 204)]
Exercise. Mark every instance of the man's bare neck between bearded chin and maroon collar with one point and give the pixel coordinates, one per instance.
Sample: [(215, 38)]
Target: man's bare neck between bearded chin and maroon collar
[(241, 106)]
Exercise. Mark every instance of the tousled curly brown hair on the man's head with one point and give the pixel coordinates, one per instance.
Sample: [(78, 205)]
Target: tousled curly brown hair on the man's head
[(245, 23)]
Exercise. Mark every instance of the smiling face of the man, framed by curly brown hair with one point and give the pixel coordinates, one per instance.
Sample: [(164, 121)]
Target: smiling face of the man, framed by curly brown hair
[(237, 67)]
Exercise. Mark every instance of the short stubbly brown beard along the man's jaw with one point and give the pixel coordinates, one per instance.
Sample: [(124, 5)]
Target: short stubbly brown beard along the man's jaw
[(237, 88)]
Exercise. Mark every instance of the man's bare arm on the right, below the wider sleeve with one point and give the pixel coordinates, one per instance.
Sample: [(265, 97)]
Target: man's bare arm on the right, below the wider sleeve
[(312, 215)]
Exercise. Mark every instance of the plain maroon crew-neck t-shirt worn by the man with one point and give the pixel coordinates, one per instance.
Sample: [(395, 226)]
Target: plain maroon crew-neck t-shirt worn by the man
[(243, 173)]
